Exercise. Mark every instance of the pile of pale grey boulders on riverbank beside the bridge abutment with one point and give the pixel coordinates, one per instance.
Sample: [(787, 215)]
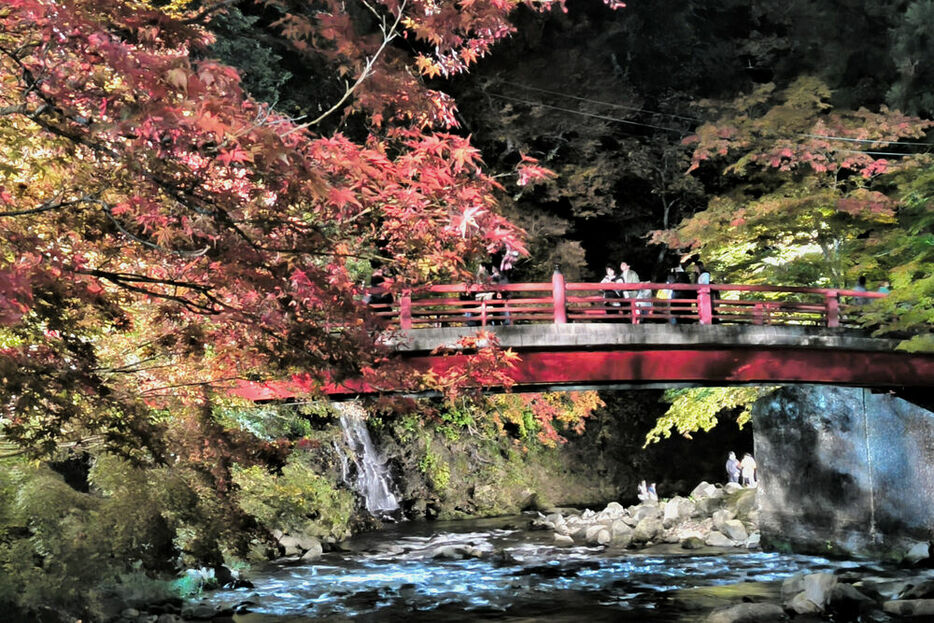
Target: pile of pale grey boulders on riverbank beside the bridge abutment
[(711, 515)]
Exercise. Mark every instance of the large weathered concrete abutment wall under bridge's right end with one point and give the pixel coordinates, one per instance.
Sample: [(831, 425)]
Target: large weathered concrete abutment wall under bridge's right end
[(843, 470)]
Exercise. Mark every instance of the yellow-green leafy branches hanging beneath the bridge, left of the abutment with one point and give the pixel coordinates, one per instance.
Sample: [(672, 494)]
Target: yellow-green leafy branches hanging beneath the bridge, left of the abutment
[(698, 408)]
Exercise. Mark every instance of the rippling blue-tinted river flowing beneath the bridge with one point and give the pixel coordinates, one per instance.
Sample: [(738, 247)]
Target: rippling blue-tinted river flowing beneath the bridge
[(513, 574)]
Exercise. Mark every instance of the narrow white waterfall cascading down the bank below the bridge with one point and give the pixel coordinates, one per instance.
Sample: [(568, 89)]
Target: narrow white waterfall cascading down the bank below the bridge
[(372, 477)]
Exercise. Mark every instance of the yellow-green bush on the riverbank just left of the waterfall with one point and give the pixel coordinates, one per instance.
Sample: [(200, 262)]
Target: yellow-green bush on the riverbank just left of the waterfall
[(296, 499)]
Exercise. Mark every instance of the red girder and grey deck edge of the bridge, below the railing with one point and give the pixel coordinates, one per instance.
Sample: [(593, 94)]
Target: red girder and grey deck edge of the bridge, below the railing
[(602, 356)]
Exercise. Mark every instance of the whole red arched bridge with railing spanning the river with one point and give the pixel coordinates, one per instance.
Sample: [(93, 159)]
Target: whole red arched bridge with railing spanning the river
[(587, 335)]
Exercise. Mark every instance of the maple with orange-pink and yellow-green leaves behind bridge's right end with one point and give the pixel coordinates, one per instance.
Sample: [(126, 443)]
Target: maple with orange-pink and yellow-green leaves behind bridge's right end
[(804, 187)]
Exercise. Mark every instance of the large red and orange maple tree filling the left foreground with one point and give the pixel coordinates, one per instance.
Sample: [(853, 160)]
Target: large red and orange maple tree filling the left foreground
[(162, 231)]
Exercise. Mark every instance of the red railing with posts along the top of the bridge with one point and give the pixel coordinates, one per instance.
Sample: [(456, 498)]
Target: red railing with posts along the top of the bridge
[(559, 302)]
